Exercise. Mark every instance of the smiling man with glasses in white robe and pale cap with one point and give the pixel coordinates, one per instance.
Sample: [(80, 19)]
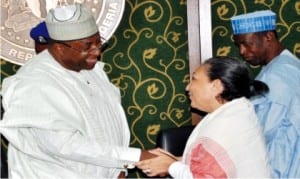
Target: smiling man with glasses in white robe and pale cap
[(63, 117)]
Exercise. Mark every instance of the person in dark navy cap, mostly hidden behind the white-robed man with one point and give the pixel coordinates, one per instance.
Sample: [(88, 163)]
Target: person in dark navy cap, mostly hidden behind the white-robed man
[(40, 35)]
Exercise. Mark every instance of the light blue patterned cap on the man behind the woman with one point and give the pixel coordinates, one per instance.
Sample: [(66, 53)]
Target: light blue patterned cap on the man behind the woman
[(254, 22)]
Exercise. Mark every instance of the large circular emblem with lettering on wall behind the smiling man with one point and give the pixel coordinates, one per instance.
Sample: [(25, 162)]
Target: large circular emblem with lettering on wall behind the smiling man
[(19, 16)]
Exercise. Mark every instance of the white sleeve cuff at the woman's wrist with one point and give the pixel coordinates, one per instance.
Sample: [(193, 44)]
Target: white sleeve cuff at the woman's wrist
[(180, 170)]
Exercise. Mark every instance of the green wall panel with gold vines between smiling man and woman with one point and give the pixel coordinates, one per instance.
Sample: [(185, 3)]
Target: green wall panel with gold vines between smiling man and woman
[(148, 59)]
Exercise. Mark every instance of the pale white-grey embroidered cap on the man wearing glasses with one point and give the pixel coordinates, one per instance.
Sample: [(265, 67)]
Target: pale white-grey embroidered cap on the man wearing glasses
[(71, 22)]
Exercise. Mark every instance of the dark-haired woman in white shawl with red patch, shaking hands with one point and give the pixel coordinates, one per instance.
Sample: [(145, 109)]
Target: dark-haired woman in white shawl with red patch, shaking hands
[(227, 142)]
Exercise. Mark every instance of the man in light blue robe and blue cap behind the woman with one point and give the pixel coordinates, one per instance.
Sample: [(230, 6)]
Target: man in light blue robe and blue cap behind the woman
[(255, 36)]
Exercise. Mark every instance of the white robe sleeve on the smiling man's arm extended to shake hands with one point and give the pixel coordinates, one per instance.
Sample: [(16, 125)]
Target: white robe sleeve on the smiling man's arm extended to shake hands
[(68, 146)]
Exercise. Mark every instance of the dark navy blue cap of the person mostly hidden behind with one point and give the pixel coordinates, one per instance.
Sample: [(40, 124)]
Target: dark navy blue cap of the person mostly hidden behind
[(40, 33)]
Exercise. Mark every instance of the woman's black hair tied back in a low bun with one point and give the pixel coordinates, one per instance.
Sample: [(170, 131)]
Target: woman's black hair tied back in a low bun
[(235, 77)]
